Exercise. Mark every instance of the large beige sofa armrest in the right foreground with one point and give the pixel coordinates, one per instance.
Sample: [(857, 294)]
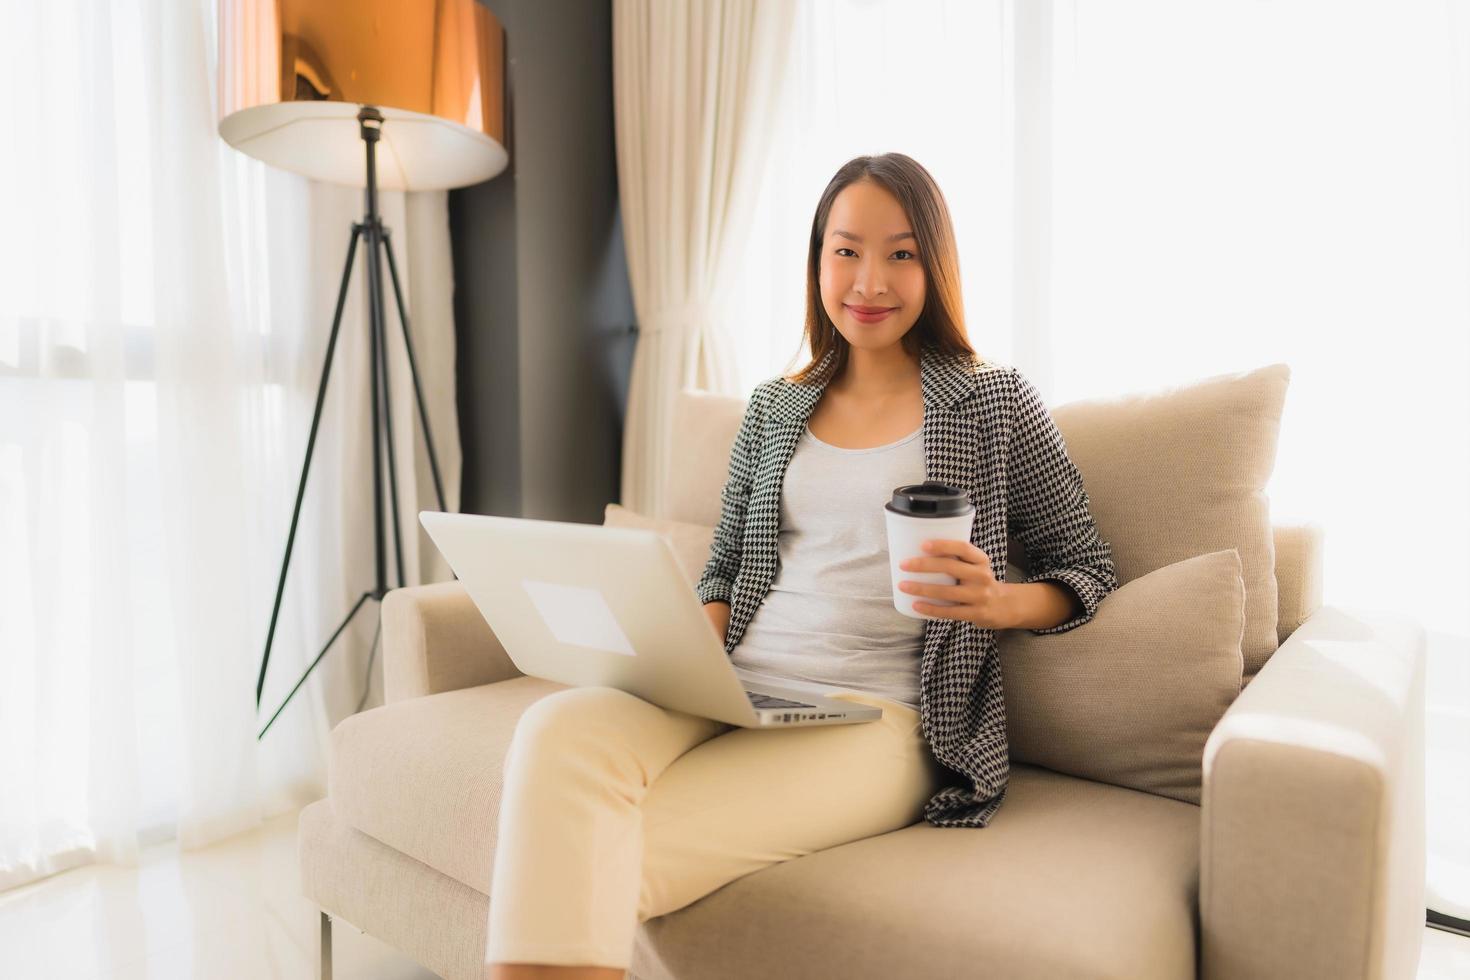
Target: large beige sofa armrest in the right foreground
[(1312, 847)]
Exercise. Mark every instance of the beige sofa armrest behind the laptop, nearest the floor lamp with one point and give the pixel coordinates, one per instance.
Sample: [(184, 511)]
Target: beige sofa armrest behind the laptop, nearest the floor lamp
[(436, 640)]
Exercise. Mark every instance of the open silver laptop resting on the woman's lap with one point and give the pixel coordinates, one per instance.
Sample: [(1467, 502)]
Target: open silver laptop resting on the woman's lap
[(587, 605)]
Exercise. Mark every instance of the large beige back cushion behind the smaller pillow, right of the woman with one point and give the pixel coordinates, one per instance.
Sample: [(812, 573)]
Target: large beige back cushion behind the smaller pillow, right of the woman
[(1183, 472)]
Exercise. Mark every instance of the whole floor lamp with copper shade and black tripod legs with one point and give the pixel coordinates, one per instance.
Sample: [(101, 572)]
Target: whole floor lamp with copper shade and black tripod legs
[(323, 89)]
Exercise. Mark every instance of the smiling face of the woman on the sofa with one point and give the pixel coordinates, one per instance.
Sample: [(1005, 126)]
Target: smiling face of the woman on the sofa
[(871, 261)]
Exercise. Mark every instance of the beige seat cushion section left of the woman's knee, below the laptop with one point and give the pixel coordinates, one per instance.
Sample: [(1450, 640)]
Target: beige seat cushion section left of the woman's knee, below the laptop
[(424, 775)]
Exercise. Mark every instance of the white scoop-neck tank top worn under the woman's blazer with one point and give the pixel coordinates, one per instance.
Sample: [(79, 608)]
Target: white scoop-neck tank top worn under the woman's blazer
[(830, 615)]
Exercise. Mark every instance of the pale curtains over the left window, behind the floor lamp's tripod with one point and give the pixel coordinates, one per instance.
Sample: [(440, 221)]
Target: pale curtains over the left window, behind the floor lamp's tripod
[(164, 315)]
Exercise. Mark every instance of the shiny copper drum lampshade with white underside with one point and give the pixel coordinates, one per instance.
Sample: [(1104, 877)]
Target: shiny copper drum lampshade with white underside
[(295, 73)]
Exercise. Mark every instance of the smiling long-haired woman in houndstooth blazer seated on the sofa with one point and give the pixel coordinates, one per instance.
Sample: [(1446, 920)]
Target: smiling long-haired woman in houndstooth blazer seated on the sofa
[(615, 810)]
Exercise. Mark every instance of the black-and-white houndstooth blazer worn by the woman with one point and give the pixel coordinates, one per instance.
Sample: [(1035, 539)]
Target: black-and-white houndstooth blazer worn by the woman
[(987, 430)]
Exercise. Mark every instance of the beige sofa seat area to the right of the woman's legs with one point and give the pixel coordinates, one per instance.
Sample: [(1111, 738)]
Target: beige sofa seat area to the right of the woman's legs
[(1071, 879)]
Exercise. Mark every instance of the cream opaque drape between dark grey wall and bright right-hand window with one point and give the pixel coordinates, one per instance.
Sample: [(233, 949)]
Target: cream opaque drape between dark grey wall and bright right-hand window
[(695, 86)]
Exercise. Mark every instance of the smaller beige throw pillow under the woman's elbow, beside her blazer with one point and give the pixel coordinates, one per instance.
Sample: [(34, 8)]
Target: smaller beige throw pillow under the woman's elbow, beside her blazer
[(1133, 699)]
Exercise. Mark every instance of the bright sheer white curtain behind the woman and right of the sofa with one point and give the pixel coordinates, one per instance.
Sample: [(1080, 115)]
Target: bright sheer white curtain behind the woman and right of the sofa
[(1149, 193)]
